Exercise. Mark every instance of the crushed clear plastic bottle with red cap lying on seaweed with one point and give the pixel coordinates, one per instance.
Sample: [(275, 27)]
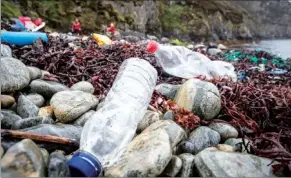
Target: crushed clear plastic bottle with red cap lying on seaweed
[(182, 62)]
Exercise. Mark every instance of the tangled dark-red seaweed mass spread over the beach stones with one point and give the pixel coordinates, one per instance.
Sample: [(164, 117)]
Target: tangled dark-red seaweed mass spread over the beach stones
[(259, 105)]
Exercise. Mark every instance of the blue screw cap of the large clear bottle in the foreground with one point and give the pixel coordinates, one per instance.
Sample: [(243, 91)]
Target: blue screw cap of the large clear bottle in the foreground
[(84, 164)]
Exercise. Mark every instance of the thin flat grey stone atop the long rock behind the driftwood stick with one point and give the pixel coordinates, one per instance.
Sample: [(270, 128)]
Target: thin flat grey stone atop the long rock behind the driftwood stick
[(32, 121)]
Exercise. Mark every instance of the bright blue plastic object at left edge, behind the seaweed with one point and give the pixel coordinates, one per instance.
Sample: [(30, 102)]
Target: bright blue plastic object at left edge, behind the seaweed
[(22, 38)]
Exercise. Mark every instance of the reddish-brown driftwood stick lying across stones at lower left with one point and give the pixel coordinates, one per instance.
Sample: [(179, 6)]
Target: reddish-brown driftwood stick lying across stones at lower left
[(38, 137)]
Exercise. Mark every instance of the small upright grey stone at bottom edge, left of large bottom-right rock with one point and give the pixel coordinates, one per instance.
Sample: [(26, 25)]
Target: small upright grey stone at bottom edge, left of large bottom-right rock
[(187, 165)]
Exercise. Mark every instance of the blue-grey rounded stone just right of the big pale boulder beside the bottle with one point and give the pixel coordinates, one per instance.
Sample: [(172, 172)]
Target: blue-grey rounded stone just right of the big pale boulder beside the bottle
[(199, 139)]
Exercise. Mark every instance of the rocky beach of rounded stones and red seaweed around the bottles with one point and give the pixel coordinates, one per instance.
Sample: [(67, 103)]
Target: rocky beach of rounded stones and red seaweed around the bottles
[(49, 91)]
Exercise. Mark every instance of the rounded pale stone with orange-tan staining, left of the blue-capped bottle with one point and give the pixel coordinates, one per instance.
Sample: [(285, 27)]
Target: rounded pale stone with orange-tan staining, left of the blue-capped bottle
[(69, 105)]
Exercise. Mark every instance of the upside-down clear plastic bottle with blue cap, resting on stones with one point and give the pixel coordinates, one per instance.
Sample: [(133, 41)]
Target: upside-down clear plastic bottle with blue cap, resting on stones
[(107, 133)]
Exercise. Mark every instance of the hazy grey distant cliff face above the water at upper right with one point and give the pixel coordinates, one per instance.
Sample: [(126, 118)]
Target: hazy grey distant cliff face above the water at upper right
[(273, 18)]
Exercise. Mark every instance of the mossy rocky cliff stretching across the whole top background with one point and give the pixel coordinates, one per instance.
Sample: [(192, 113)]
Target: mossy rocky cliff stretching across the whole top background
[(187, 19)]
